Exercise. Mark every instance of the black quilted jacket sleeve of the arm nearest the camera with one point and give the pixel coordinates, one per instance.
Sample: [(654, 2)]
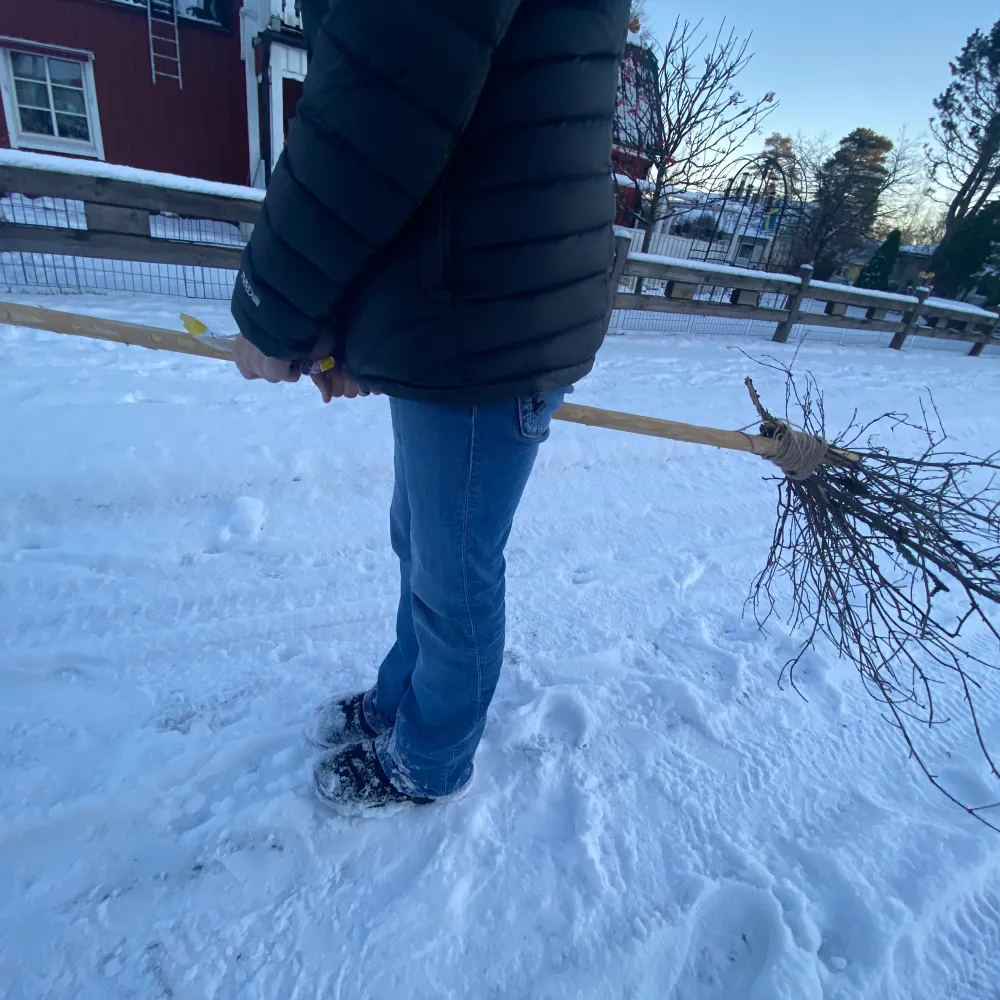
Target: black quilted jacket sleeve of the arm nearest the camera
[(391, 86)]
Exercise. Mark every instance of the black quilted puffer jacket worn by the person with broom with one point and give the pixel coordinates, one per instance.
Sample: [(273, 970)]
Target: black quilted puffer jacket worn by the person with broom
[(443, 208)]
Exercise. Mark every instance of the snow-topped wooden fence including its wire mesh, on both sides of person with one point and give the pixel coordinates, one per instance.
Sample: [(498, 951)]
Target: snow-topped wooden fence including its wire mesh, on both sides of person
[(102, 226)]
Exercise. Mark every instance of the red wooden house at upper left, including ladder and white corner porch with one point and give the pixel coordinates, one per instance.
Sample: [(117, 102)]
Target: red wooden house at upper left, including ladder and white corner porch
[(202, 88)]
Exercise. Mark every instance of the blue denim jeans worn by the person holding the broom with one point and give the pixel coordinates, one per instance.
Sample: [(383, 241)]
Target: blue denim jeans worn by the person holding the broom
[(460, 473)]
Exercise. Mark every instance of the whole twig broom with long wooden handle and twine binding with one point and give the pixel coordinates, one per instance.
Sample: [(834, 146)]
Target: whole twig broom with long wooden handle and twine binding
[(866, 542)]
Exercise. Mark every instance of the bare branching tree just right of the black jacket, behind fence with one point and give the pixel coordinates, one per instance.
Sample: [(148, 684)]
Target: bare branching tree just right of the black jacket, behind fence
[(689, 118)]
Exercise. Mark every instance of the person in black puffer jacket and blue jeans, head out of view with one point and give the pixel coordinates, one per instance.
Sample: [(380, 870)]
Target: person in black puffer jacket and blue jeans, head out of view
[(441, 223)]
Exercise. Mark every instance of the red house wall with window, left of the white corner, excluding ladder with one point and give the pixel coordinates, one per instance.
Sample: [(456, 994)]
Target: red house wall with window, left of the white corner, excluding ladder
[(76, 77)]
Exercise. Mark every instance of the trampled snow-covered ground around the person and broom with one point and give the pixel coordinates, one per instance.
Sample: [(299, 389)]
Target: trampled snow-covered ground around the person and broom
[(188, 562)]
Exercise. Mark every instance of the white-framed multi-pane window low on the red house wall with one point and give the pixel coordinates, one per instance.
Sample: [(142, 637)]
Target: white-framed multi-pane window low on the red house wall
[(49, 103)]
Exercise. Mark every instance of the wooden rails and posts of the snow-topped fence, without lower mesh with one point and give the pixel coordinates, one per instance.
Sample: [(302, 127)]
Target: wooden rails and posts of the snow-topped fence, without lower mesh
[(119, 215)]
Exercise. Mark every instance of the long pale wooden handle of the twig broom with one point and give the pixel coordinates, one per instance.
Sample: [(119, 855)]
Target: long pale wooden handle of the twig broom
[(156, 339)]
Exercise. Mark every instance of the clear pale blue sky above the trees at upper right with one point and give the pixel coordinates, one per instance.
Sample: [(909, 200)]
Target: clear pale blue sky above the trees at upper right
[(876, 63)]
